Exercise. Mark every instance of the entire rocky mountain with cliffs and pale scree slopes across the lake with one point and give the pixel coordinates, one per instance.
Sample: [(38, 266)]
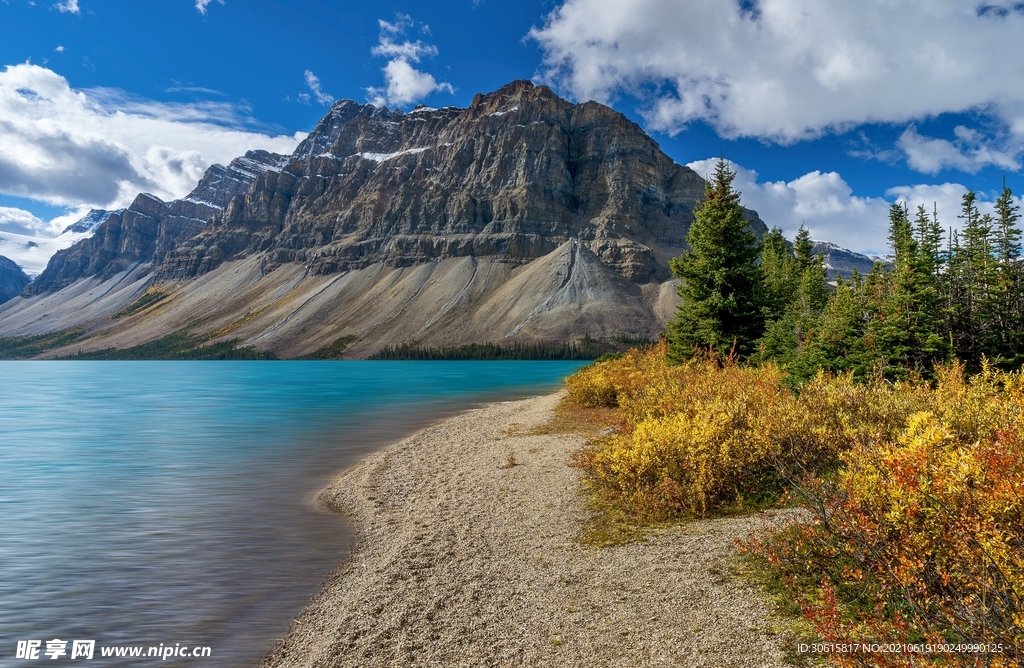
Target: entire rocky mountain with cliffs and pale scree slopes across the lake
[(521, 219)]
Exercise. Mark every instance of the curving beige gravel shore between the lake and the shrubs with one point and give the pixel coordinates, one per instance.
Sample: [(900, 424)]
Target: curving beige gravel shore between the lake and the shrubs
[(465, 563)]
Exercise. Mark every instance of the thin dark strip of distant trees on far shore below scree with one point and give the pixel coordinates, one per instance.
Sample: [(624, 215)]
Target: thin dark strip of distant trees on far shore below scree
[(587, 349)]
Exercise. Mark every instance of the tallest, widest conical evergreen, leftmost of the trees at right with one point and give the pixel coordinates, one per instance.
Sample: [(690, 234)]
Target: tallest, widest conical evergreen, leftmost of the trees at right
[(722, 287)]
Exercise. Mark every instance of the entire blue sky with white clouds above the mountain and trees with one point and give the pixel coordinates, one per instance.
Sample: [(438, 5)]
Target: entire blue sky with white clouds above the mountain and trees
[(829, 111)]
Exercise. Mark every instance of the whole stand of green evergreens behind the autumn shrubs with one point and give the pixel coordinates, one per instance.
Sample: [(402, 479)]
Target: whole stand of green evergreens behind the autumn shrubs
[(944, 296)]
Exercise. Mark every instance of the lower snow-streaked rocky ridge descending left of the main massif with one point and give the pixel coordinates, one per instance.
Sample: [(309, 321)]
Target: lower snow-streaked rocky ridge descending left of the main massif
[(148, 230)]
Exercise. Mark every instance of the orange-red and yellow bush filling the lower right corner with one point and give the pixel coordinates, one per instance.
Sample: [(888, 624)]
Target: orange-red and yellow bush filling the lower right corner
[(920, 536)]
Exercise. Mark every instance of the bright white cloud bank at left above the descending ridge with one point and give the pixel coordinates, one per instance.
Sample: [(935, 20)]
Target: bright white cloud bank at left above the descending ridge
[(101, 148)]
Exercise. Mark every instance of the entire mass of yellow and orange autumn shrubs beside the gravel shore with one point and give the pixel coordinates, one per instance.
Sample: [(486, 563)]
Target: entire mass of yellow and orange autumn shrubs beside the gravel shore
[(916, 492)]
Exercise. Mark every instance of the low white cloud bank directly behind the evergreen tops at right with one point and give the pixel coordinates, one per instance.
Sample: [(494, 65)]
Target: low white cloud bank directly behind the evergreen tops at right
[(825, 203)]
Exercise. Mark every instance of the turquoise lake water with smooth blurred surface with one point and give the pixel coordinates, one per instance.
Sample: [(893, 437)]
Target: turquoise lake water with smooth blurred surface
[(172, 503)]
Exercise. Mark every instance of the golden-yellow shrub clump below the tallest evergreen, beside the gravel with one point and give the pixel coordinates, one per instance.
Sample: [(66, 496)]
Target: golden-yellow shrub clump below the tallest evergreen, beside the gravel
[(700, 436)]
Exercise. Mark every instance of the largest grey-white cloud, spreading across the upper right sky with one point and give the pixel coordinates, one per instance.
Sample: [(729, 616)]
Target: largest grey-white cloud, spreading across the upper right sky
[(789, 70)]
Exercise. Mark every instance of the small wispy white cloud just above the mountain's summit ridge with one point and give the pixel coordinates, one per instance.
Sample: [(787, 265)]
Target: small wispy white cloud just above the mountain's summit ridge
[(403, 82)]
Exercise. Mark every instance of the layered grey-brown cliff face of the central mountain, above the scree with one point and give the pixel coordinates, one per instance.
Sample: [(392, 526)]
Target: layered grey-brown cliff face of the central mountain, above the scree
[(516, 176)]
